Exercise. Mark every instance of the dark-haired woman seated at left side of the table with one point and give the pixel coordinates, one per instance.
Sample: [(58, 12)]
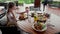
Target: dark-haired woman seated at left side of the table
[(10, 14)]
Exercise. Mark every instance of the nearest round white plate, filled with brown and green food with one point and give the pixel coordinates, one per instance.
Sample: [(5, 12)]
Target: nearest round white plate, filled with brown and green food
[(39, 27)]
